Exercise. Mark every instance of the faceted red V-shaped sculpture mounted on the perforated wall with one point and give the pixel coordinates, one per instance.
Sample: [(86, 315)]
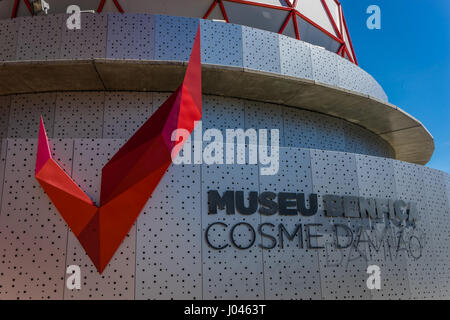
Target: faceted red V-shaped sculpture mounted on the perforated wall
[(129, 178)]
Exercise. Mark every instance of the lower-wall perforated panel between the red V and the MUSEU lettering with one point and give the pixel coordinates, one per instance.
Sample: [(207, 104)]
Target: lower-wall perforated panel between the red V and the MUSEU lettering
[(168, 262)]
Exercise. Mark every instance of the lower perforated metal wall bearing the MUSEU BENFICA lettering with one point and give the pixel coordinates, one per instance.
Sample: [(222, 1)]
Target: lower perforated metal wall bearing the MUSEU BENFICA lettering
[(165, 255)]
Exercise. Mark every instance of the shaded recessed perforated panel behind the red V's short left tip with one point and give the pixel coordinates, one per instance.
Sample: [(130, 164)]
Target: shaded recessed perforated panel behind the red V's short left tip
[(25, 112)]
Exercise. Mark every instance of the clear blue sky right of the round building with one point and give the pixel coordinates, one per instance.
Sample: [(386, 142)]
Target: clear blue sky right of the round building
[(410, 58)]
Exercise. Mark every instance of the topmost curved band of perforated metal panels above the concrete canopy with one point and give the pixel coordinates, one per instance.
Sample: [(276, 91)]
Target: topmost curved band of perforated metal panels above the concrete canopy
[(157, 37)]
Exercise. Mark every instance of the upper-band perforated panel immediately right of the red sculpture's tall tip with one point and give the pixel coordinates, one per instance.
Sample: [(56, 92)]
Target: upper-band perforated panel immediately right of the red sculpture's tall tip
[(221, 43)]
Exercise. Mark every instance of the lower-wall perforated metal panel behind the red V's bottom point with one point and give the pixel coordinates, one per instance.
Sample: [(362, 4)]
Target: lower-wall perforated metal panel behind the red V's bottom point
[(117, 281)]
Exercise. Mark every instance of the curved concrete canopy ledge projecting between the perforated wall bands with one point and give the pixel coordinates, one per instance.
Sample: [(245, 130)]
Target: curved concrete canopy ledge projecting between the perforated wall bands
[(410, 140)]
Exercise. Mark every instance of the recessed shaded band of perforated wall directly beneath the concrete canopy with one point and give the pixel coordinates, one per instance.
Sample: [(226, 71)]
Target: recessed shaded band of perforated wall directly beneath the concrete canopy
[(112, 115)]
